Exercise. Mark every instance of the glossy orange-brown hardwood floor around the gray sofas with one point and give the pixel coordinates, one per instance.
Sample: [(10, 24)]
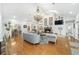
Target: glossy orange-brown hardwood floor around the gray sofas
[(20, 47)]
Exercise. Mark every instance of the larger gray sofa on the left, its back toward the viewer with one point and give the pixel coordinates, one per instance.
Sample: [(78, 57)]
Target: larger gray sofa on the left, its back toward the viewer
[(31, 37)]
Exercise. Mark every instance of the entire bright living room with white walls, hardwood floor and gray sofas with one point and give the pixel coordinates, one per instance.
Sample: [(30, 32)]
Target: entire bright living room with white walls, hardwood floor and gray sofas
[(39, 28)]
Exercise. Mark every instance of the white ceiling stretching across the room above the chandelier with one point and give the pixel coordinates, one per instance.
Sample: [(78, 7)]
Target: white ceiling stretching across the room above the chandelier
[(27, 10)]
